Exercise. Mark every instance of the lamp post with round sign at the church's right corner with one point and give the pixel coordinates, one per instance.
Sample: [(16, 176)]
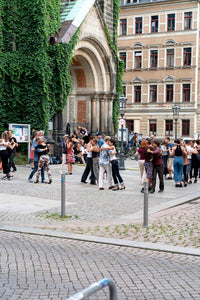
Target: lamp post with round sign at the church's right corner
[(122, 107)]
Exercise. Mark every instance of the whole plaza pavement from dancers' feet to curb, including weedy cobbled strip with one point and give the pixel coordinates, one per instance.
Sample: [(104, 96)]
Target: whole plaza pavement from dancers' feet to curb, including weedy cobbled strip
[(98, 213)]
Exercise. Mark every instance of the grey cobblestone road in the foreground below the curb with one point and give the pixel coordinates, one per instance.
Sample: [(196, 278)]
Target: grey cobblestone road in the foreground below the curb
[(34, 267)]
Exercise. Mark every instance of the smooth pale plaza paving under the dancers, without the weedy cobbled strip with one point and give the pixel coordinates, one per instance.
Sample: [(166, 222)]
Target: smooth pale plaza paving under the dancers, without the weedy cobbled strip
[(21, 201)]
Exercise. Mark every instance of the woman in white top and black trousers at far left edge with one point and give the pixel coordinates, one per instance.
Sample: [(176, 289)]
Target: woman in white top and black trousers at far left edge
[(4, 144)]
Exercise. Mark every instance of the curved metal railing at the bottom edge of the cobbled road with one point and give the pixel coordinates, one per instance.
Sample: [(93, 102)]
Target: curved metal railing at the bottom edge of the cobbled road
[(96, 287)]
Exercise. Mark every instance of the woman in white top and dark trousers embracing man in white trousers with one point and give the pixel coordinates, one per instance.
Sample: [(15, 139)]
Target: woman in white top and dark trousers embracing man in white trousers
[(115, 168)]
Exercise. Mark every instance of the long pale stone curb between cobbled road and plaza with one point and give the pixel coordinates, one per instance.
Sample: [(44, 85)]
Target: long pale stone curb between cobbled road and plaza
[(102, 240)]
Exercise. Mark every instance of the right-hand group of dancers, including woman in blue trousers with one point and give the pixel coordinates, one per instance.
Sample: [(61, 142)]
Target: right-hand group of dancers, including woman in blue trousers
[(180, 160)]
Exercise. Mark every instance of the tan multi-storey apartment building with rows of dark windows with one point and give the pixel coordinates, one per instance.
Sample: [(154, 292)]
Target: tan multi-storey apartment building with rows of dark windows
[(159, 44)]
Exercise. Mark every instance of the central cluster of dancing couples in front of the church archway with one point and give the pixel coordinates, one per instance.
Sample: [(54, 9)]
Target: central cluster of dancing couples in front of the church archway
[(99, 156)]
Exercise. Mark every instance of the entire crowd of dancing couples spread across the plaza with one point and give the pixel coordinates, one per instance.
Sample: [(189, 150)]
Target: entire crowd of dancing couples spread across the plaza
[(179, 160)]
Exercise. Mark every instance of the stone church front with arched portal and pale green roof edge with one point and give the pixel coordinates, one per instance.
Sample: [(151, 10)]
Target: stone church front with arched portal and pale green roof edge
[(93, 68)]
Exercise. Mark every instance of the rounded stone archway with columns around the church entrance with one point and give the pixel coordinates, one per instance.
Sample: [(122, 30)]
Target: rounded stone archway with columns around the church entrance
[(91, 99)]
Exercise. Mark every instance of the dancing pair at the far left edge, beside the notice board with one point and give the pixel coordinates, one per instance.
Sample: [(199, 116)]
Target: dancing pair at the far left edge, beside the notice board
[(8, 145)]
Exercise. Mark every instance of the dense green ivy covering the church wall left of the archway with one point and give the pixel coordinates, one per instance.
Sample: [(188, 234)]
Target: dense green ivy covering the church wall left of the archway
[(34, 75)]
